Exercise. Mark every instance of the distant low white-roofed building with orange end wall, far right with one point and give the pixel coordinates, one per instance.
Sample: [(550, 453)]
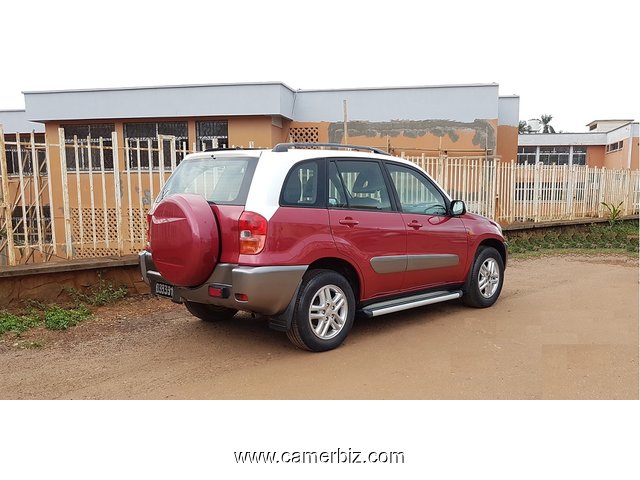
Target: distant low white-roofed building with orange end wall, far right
[(613, 144)]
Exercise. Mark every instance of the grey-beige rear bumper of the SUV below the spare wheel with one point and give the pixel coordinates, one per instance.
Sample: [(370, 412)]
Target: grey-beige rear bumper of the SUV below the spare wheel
[(268, 290)]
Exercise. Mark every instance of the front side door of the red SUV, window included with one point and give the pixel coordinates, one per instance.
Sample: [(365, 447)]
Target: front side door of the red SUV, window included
[(436, 241)]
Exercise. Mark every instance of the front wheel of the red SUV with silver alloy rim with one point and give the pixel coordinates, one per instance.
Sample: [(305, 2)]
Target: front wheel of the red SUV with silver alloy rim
[(484, 284)]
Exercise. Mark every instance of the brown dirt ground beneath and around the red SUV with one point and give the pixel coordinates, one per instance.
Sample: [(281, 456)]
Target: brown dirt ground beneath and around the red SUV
[(565, 327)]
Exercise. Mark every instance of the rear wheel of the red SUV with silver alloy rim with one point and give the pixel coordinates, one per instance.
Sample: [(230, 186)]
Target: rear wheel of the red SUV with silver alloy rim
[(324, 311)]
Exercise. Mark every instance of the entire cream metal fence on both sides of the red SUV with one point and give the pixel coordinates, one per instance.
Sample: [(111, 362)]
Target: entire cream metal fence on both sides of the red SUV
[(86, 198)]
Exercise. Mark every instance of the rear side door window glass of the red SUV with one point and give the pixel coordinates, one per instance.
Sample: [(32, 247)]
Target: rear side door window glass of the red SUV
[(357, 185)]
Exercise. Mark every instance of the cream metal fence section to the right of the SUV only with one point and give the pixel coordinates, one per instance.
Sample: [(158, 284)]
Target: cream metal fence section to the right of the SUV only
[(520, 193)]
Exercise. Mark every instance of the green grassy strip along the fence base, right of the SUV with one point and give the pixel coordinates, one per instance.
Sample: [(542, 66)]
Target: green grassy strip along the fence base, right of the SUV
[(619, 237)]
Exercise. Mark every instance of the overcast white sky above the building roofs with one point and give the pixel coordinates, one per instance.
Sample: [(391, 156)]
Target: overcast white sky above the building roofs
[(577, 61)]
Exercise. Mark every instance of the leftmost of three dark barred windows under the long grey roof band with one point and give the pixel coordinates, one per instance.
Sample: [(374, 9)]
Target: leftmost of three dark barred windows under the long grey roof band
[(83, 146)]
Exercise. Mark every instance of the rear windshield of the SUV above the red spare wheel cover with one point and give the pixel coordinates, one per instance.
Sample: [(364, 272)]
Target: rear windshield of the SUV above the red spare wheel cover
[(220, 180)]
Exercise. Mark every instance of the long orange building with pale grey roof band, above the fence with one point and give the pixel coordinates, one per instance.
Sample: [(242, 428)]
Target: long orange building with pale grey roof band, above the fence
[(456, 120)]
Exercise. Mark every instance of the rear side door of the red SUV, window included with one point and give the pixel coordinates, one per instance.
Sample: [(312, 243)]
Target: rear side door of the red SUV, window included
[(366, 228)]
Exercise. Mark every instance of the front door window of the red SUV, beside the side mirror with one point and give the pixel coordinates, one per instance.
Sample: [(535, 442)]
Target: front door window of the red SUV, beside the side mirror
[(416, 193)]
